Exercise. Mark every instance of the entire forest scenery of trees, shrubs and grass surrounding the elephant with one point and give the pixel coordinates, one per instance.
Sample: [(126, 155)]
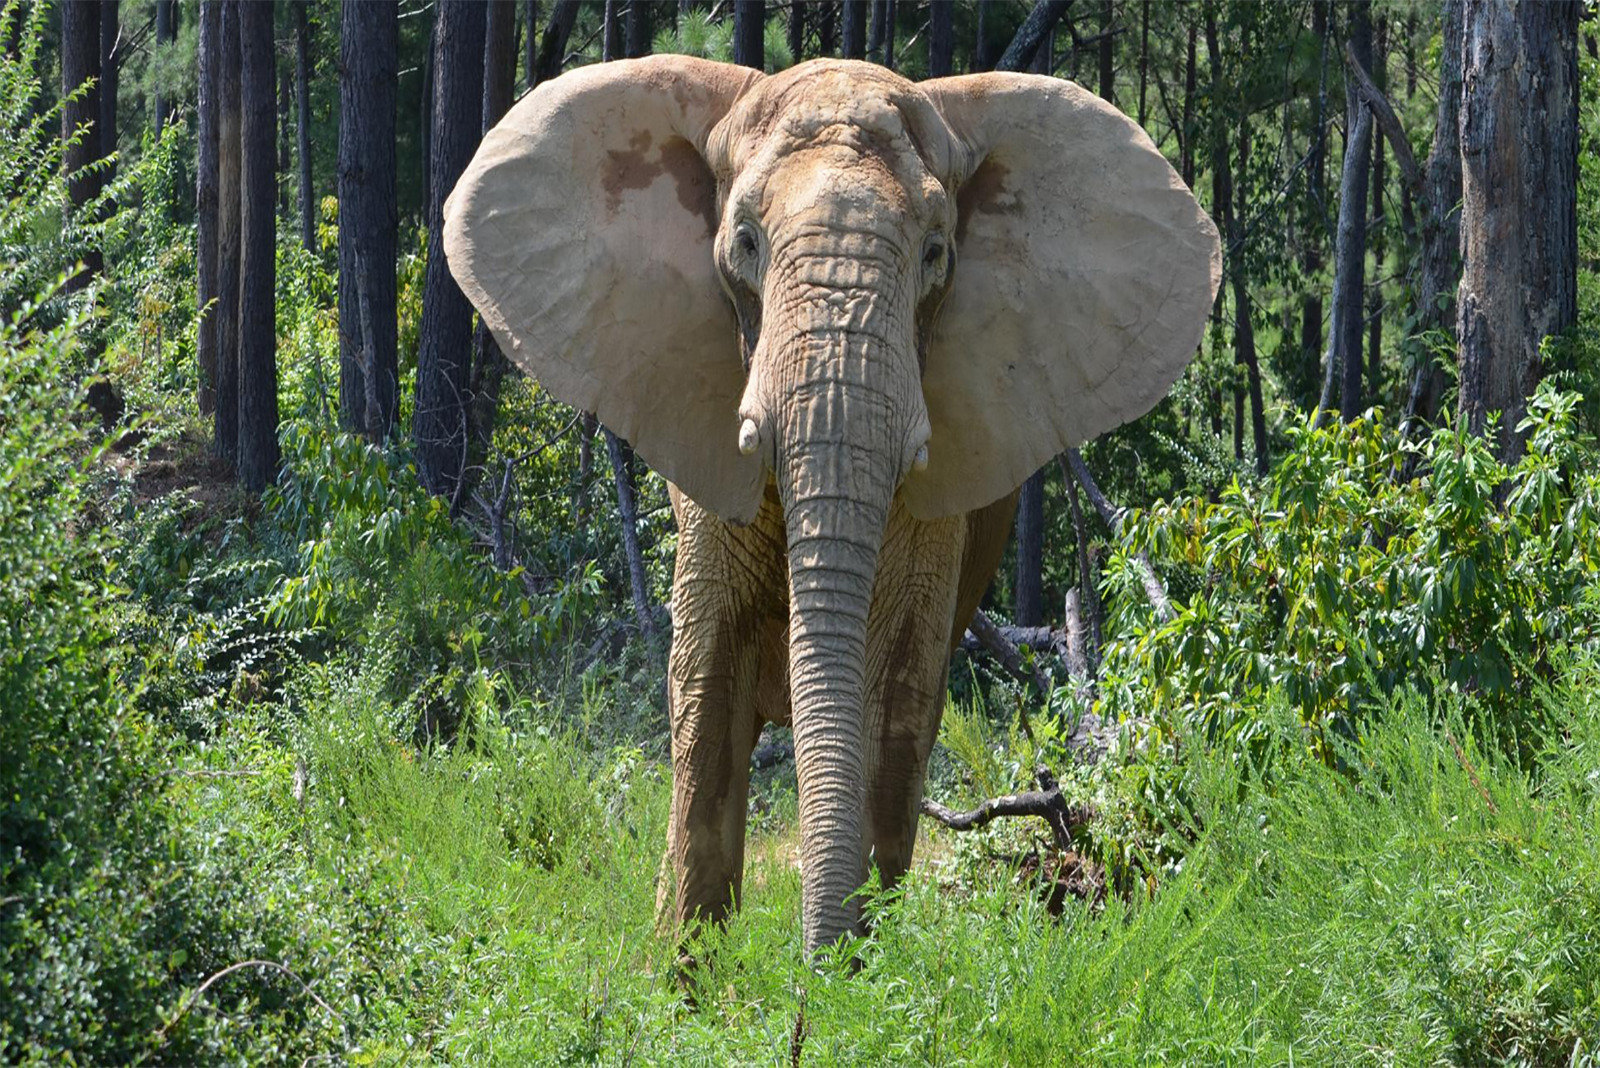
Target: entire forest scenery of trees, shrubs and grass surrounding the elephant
[(334, 648)]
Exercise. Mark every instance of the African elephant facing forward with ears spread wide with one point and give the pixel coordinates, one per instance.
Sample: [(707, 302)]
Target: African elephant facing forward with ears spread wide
[(844, 316)]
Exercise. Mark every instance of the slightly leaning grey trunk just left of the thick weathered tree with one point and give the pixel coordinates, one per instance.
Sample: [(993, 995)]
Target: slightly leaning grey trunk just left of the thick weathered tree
[(1441, 223)]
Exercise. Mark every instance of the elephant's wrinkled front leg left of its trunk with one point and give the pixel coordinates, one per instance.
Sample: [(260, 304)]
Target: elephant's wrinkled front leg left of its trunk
[(726, 594)]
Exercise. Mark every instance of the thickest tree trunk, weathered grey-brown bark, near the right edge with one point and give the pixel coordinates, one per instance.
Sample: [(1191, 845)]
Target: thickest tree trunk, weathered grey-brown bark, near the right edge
[(1519, 202)]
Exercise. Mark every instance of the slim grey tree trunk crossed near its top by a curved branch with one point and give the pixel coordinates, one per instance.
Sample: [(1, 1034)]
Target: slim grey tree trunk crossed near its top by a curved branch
[(1353, 241)]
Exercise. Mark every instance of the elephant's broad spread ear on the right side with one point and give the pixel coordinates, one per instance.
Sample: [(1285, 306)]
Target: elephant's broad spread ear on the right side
[(1084, 276)]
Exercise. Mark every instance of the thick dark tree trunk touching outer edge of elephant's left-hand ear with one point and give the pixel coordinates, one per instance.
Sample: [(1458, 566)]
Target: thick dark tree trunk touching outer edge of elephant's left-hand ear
[(444, 364)]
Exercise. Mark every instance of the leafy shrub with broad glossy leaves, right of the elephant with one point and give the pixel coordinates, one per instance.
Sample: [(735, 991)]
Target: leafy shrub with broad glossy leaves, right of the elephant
[(1338, 583)]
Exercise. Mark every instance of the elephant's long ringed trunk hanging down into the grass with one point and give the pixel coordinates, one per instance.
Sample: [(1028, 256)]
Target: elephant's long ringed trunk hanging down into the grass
[(849, 410)]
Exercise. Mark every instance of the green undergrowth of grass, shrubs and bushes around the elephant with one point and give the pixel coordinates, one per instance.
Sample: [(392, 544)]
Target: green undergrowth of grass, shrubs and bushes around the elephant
[(322, 776)]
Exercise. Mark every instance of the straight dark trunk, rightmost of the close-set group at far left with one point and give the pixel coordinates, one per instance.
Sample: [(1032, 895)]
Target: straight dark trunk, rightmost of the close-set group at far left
[(258, 375)]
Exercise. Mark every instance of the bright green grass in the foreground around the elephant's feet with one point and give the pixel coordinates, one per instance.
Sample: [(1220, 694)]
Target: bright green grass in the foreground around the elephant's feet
[(495, 904)]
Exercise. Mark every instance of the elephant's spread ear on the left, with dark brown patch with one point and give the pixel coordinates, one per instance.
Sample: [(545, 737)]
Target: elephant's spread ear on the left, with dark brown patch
[(583, 233)]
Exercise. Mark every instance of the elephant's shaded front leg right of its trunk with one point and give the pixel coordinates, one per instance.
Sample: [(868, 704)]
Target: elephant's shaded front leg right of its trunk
[(908, 664)]
